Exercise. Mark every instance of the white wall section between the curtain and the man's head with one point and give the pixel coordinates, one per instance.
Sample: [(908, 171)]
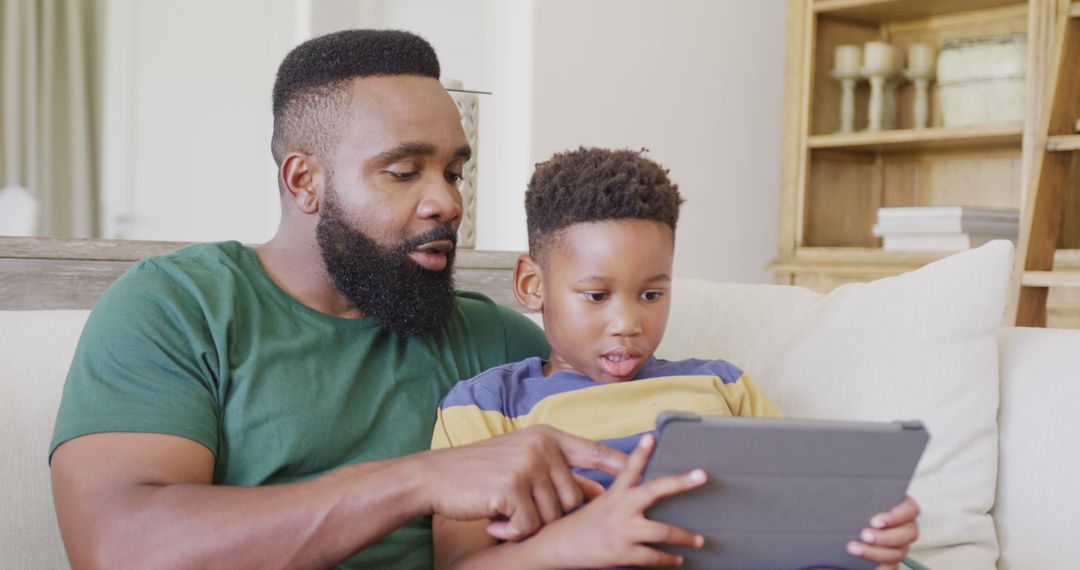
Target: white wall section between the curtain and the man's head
[(187, 118)]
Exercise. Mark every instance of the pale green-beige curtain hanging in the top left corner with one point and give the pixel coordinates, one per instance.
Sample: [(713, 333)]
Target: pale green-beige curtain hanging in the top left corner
[(50, 110)]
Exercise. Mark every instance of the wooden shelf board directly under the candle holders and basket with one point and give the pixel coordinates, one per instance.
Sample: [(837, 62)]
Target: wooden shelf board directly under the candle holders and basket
[(922, 139)]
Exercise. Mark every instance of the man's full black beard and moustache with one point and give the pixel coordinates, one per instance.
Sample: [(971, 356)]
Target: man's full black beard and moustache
[(382, 282)]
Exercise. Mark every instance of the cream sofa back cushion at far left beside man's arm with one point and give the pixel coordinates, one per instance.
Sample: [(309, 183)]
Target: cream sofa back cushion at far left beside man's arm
[(36, 350)]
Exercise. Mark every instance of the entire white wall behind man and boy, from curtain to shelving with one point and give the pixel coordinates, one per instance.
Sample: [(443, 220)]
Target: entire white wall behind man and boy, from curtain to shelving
[(699, 83)]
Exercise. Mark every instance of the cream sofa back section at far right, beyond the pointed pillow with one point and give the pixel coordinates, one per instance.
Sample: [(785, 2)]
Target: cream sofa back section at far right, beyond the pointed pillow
[(1038, 509)]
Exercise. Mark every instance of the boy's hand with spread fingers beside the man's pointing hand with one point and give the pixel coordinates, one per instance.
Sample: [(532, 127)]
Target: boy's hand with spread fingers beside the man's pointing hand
[(613, 531)]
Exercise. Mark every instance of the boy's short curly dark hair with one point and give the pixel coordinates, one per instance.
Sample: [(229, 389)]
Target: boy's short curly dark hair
[(597, 185)]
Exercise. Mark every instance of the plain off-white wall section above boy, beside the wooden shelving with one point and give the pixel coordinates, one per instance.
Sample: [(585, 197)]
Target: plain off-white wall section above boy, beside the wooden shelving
[(700, 85)]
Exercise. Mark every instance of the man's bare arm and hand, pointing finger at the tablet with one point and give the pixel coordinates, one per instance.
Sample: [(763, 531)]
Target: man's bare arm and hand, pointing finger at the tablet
[(132, 500)]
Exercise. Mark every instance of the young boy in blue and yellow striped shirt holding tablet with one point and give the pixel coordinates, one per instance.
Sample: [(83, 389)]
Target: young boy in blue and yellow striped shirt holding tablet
[(602, 229)]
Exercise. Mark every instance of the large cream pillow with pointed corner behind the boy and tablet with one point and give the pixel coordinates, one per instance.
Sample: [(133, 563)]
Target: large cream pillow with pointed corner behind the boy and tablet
[(919, 346)]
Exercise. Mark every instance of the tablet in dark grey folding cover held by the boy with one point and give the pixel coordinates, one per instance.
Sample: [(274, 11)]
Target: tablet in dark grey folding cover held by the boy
[(782, 495)]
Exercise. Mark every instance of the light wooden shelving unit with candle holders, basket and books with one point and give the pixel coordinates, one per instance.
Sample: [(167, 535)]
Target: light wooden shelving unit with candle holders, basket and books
[(832, 184)]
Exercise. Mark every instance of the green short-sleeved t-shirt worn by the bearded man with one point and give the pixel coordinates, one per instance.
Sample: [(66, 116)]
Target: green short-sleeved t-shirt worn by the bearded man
[(201, 344)]
